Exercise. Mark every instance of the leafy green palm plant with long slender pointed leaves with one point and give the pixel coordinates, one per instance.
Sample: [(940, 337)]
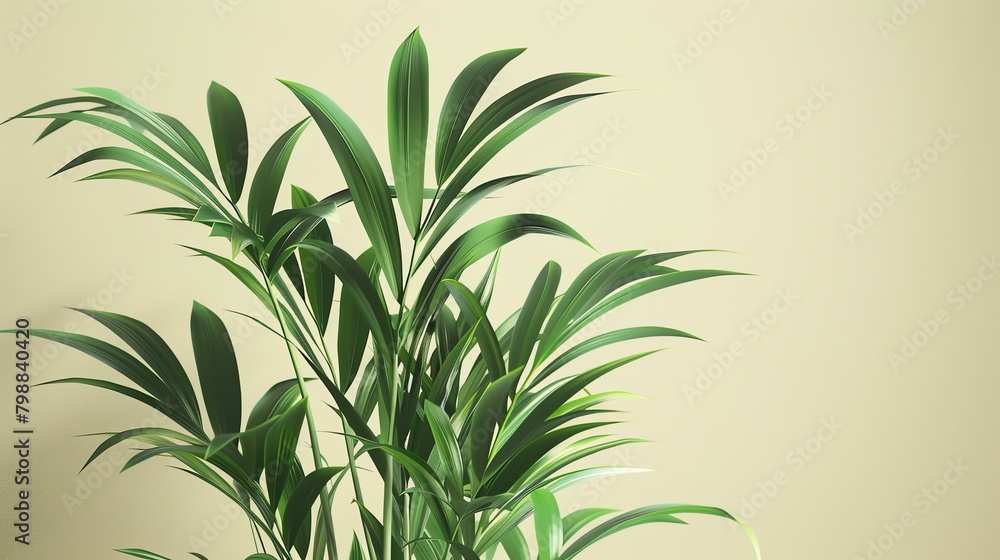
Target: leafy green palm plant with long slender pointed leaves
[(471, 424)]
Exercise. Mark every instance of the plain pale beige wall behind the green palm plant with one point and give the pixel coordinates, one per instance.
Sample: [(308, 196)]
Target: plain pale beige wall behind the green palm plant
[(879, 116)]
